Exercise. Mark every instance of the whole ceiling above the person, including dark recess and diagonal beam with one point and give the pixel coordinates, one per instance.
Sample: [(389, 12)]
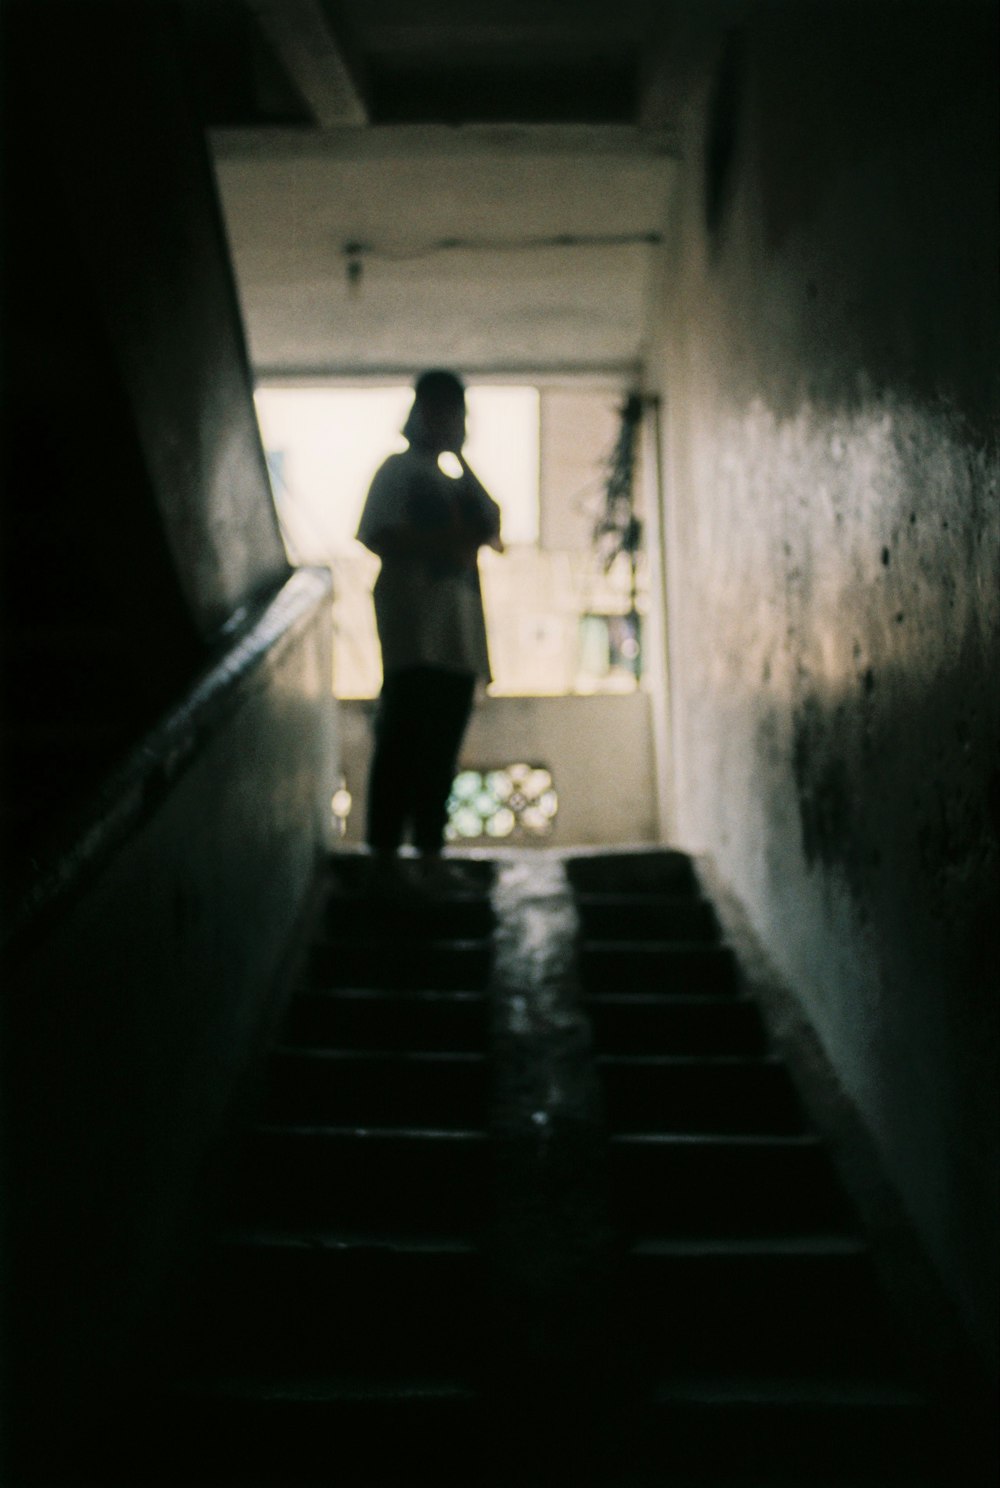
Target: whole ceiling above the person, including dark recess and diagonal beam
[(477, 185)]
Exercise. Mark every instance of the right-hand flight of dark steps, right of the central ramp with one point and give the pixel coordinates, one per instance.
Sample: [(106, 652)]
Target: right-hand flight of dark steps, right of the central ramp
[(760, 1344)]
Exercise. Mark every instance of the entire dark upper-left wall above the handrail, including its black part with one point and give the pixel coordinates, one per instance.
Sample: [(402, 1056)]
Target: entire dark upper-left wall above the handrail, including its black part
[(138, 513)]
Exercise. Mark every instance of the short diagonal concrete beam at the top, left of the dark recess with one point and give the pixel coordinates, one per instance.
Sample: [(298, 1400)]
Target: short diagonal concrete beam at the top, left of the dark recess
[(315, 59)]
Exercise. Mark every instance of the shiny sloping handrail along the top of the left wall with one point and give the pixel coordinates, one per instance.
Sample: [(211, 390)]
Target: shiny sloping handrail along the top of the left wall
[(132, 792)]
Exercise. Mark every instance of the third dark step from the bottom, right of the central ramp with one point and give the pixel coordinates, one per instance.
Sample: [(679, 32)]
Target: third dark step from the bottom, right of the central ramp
[(730, 1185)]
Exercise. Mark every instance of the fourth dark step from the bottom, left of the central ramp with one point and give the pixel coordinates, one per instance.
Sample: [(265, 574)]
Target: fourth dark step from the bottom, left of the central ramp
[(379, 1090)]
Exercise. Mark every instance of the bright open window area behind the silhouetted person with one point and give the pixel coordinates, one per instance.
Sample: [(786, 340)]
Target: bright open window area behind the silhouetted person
[(560, 620)]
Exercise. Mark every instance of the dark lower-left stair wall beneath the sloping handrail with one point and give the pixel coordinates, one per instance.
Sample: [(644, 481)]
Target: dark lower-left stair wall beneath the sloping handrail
[(130, 1029)]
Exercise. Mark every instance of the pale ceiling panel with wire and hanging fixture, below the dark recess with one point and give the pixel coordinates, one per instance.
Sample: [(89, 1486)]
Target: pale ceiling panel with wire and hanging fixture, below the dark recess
[(374, 251)]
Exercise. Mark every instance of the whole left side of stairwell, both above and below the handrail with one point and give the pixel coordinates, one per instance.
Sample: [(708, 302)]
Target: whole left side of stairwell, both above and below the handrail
[(141, 550)]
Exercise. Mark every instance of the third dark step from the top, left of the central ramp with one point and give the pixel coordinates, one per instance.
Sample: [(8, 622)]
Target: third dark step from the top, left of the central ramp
[(395, 962)]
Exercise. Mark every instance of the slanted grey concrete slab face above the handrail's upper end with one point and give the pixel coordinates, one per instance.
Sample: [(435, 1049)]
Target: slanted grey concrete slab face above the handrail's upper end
[(153, 233)]
